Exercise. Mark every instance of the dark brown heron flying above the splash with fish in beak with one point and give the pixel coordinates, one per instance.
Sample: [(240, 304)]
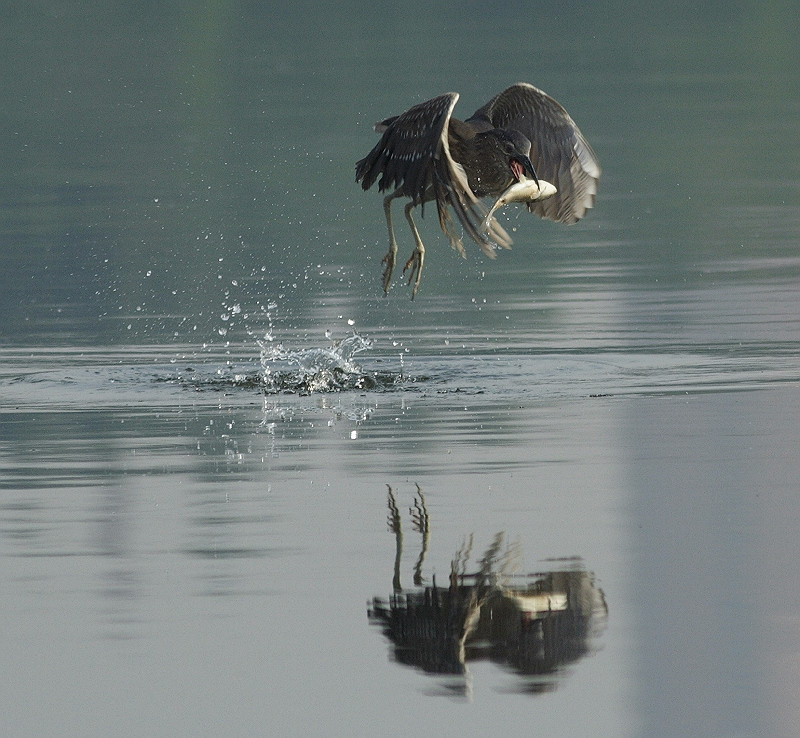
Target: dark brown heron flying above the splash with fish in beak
[(521, 146)]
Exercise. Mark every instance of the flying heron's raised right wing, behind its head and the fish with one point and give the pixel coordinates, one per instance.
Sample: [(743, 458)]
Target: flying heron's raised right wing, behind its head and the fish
[(559, 152)]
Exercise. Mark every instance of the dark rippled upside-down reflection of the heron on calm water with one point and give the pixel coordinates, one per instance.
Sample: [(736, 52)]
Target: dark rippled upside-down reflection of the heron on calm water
[(532, 624)]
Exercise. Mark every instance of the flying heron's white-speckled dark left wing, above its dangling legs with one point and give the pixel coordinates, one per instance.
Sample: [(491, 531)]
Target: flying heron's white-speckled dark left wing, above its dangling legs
[(413, 154)]
